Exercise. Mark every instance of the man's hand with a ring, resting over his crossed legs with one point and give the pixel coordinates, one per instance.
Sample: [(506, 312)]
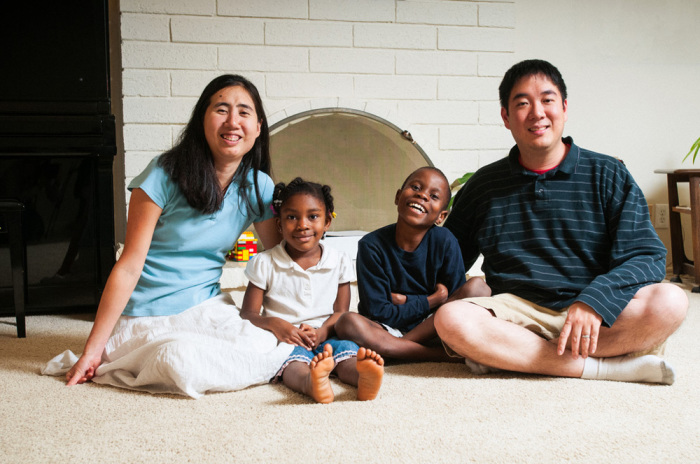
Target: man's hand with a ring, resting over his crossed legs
[(583, 326)]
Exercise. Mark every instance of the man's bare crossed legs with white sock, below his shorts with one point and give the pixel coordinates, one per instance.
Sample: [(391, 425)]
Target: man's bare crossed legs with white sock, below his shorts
[(651, 317)]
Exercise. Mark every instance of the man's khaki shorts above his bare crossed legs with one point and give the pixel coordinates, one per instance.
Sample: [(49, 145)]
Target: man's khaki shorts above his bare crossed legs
[(542, 321)]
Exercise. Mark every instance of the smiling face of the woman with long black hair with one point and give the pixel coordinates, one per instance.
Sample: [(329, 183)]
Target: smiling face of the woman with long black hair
[(231, 124)]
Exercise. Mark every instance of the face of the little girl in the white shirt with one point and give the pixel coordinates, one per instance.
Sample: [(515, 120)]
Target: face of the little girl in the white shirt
[(303, 220)]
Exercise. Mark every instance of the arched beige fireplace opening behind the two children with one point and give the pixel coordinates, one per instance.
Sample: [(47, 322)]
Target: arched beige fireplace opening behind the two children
[(363, 157)]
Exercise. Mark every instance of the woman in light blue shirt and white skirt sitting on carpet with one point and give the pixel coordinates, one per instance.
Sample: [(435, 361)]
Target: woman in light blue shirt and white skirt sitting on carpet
[(162, 324)]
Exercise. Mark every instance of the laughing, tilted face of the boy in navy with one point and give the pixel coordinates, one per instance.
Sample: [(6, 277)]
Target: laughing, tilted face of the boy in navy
[(422, 200)]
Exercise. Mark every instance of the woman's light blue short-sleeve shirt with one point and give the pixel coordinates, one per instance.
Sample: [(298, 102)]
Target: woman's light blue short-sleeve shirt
[(187, 253)]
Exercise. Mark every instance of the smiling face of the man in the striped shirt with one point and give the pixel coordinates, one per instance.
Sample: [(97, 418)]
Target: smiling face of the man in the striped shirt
[(536, 114)]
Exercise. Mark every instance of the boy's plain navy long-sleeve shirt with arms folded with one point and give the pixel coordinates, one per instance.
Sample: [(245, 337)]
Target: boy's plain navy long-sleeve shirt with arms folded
[(383, 268)]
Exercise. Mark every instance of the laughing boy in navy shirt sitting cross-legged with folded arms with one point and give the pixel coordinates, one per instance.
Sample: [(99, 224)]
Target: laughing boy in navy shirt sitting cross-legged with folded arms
[(405, 271)]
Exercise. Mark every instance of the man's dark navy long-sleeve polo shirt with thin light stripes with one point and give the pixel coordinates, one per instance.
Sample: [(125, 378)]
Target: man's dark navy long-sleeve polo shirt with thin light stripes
[(580, 232)]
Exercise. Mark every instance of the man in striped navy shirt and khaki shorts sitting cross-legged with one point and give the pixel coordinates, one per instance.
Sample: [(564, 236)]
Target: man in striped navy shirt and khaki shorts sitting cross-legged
[(569, 253)]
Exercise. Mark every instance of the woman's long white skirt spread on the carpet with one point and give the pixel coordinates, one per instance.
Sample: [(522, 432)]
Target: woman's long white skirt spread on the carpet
[(207, 348)]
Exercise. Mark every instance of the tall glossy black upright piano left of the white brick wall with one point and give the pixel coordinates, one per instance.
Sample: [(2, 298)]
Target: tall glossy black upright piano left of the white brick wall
[(57, 147)]
